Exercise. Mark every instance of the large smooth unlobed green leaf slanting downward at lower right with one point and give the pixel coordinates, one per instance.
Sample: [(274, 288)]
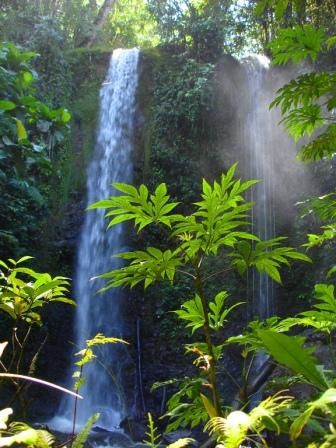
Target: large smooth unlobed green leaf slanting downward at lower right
[(288, 351)]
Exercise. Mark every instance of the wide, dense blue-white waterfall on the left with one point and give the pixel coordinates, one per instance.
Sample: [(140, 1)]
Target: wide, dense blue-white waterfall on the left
[(102, 313)]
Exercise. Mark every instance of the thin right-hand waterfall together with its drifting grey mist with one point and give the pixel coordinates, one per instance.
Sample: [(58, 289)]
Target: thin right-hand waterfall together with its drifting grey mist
[(250, 133)]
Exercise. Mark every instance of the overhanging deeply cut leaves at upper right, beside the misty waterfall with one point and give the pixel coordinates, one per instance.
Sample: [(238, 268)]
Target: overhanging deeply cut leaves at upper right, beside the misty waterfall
[(307, 102)]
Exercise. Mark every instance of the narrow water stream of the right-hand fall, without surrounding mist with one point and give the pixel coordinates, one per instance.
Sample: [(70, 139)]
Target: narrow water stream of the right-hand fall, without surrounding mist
[(258, 132)]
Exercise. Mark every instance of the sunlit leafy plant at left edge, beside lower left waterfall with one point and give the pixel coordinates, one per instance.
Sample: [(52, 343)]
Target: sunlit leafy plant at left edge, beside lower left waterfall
[(24, 293)]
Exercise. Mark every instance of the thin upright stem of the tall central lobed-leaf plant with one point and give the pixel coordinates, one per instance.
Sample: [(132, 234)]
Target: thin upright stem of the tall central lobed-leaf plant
[(206, 329)]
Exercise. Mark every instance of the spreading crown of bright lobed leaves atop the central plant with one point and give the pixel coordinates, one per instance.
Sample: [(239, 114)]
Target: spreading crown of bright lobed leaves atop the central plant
[(219, 222)]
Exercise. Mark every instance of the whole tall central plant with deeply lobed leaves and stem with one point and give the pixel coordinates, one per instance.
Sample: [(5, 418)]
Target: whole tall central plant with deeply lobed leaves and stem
[(217, 228)]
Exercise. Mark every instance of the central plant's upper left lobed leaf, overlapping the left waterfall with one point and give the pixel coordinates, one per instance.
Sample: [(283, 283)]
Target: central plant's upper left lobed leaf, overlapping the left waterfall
[(138, 205)]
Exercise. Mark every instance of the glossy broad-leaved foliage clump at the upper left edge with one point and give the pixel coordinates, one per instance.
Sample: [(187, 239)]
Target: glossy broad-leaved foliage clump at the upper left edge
[(29, 128)]
